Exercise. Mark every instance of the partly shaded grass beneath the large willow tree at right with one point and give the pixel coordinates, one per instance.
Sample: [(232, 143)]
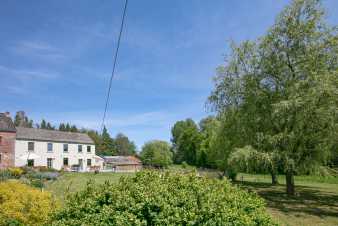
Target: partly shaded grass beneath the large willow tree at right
[(316, 202)]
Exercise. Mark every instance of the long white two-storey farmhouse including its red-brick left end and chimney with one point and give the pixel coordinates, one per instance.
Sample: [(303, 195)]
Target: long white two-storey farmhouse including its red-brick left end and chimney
[(21, 146)]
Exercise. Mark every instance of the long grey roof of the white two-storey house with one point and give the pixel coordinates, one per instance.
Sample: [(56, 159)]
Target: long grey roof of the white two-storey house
[(52, 135)]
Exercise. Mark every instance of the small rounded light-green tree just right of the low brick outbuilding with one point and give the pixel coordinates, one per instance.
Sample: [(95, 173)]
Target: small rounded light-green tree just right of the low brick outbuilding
[(157, 153)]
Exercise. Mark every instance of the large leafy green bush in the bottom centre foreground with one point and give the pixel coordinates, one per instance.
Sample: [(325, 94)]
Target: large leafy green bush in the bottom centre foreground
[(154, 198)]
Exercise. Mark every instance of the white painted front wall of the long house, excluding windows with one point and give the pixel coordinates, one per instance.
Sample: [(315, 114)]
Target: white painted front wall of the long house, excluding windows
[(41, 149)]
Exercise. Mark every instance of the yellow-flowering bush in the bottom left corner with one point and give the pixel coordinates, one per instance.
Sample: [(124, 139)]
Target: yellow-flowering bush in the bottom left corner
[(23, 205)]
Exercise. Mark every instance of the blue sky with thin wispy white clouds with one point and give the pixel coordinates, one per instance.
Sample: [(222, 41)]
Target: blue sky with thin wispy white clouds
[(56, 58)]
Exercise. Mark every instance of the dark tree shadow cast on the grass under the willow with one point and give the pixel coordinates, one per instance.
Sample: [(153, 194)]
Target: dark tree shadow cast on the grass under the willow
[(308, 200)]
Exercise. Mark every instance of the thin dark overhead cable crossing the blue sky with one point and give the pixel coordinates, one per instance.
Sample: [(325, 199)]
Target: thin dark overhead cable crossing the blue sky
[(114, 65)]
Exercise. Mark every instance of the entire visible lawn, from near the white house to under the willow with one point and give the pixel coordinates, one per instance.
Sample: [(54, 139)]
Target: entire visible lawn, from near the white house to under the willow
[(316, 202)]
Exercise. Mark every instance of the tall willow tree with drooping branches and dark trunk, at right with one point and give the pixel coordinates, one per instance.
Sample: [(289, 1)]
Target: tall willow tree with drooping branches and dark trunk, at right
[(284, 90)]
